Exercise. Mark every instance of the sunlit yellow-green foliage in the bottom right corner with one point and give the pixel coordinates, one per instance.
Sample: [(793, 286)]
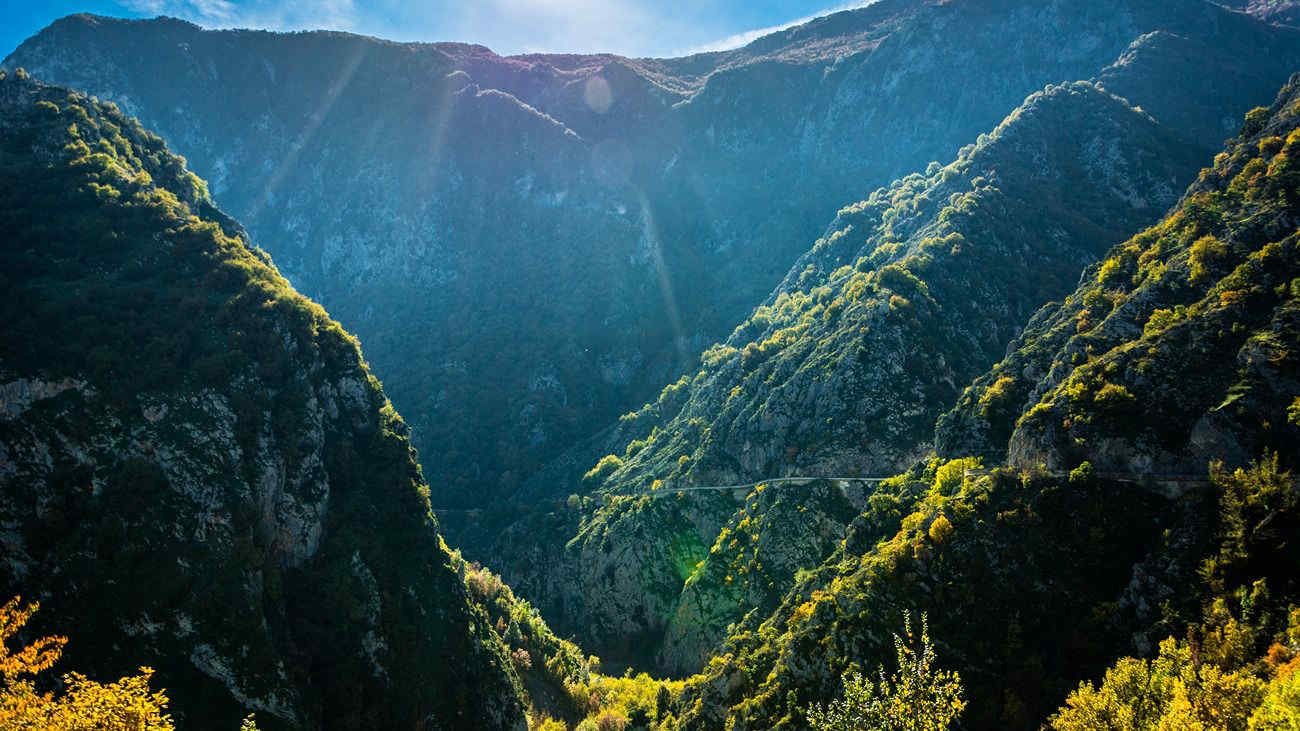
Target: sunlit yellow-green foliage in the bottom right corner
[(1221, 677)]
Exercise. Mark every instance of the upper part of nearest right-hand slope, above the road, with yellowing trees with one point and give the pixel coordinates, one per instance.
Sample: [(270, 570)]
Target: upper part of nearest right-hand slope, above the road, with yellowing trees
[(1178, 348)]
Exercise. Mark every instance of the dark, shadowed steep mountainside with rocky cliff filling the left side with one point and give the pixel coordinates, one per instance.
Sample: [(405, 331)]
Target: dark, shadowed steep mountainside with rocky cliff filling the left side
[(198, 472)]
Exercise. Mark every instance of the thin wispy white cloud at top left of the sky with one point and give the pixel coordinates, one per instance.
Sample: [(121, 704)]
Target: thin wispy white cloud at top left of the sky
[(275, 15)]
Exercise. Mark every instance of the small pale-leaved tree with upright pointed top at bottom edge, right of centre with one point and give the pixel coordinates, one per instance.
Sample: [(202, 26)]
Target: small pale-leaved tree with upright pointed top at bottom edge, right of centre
[(917, 698)]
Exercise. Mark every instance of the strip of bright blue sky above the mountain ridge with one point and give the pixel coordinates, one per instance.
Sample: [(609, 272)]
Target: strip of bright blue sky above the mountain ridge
[(632, 28)]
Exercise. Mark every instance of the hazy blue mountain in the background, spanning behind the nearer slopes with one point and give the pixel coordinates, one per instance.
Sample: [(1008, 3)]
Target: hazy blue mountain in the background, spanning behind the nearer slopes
[(526, 265)]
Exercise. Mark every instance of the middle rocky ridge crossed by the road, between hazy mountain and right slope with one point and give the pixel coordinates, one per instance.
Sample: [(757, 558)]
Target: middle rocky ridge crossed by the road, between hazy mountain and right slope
[(843, 373)]
